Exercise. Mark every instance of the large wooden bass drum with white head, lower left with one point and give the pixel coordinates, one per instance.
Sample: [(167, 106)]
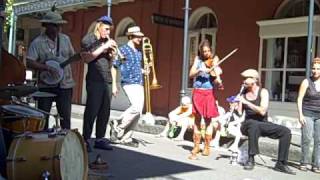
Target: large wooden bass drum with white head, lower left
[(61, 156)]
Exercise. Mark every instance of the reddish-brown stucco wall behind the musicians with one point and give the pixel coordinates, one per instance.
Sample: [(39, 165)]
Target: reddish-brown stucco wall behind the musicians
[(236, 29)]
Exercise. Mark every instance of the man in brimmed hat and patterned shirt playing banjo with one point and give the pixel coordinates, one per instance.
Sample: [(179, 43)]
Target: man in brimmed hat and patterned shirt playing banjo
[(52, 45)]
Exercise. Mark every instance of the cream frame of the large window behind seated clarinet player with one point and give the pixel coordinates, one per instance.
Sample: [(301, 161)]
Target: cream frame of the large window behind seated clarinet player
[(285, 28)]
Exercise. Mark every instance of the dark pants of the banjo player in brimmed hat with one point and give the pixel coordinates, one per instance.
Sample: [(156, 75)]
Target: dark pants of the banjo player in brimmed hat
[(63, 101)]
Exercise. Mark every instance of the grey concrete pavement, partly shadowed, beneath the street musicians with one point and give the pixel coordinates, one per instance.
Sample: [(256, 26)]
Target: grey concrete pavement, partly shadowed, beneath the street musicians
[(162, 158)]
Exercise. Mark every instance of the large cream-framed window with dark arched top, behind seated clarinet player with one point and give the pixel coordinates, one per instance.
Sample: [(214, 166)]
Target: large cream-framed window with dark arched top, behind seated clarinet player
[(283, 47)]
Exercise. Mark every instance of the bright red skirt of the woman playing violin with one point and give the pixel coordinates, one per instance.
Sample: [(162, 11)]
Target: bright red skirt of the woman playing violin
[(204, 103)]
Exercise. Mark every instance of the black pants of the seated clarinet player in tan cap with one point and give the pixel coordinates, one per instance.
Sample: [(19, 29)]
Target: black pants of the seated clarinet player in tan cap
[(254, 129)]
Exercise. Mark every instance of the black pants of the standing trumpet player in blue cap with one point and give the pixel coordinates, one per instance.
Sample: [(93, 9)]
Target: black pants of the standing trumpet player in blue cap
[(97, 106)]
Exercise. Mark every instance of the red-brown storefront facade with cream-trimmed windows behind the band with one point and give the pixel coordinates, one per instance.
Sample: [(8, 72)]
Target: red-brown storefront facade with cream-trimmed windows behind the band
[(271, 37)]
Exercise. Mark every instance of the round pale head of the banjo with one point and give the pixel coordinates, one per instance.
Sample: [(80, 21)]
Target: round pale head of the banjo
[(52, 78)]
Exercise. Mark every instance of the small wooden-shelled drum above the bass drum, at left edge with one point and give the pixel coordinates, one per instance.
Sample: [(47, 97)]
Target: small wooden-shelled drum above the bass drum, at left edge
[(19, 119)]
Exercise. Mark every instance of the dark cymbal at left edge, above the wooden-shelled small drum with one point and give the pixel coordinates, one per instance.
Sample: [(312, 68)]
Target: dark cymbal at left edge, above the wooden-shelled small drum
[(16, 90)]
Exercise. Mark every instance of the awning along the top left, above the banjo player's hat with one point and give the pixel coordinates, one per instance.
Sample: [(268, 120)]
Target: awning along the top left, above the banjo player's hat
[(21, 7)]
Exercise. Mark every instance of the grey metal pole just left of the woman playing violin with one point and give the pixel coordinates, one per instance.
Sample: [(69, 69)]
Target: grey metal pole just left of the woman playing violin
[(185, 64)]
